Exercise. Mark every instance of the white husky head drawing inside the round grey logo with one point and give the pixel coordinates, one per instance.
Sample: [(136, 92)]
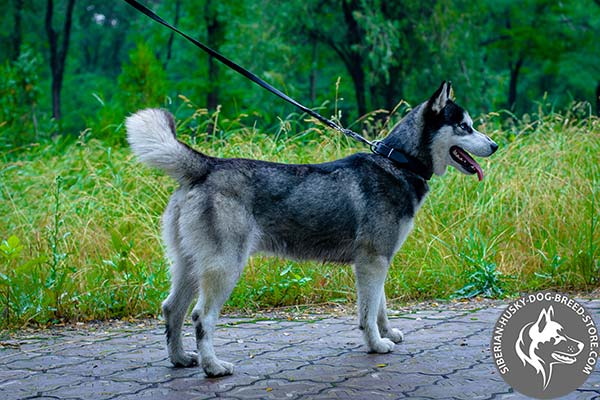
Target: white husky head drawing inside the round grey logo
[(544, 343)]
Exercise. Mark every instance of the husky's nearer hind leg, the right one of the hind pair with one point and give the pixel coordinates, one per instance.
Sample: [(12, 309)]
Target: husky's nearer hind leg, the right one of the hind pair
[(216, 284)]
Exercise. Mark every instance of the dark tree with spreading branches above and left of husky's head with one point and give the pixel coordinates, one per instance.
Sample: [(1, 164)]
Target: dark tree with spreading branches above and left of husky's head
[(377, 42)]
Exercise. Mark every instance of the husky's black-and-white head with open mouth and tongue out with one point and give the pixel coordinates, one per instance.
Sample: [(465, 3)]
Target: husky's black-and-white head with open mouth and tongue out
[(440, 133)]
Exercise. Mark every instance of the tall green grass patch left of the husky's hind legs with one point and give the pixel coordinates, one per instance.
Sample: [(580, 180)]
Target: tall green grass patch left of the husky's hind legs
[(73, 259)]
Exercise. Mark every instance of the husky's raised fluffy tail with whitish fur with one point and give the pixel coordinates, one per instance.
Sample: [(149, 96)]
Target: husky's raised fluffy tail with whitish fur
[(151, 135)]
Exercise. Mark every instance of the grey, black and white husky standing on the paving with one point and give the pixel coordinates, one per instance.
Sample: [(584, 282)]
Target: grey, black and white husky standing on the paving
[(357, 210)]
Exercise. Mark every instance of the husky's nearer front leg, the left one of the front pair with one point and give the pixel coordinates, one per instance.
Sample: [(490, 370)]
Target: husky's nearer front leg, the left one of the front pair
[(370, 278)]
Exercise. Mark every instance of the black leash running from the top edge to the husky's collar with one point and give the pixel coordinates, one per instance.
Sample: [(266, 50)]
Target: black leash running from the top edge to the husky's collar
[(376, 147)]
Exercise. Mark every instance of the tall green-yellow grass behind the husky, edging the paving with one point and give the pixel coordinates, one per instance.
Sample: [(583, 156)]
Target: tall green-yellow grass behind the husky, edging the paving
[(79, 224)]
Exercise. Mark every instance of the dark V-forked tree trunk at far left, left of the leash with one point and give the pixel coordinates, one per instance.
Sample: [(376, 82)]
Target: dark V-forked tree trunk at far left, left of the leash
[(58, 54)]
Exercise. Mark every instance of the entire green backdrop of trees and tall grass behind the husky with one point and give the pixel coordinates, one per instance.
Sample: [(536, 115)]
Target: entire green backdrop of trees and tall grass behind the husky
[(80, 217)]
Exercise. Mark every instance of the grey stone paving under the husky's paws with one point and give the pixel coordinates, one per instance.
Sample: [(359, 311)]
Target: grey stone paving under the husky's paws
[(445, 355)]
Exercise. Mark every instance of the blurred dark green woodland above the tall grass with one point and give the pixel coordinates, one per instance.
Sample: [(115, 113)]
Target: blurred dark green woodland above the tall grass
[(68, 65)]
